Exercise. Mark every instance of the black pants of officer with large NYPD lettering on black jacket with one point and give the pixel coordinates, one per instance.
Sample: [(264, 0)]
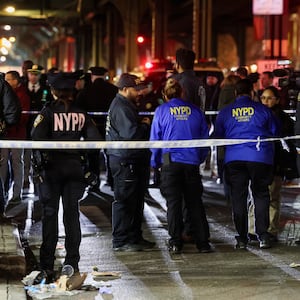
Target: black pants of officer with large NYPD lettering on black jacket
[(63, 179)]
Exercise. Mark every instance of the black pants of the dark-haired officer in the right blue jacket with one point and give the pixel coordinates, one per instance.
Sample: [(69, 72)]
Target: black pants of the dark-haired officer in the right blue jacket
[(238, 175)]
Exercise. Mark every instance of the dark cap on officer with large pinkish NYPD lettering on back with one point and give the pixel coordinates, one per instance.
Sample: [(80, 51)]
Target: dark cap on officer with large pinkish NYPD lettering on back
[(62, 80)]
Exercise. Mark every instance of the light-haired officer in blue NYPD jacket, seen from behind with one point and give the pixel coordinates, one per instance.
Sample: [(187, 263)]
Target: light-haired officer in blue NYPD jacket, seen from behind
[(180, 175)]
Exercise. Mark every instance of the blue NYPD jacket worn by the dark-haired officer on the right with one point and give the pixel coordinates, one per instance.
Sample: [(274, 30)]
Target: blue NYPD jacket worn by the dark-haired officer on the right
[(247, 119)]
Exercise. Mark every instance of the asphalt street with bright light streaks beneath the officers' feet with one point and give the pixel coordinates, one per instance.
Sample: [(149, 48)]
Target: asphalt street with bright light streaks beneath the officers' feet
[(224, 274)]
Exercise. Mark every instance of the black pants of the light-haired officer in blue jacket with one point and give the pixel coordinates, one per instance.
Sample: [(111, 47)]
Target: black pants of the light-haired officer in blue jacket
[(182, 182)]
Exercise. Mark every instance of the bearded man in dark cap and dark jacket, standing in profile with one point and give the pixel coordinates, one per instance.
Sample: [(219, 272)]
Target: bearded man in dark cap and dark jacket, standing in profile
[(129, 167)]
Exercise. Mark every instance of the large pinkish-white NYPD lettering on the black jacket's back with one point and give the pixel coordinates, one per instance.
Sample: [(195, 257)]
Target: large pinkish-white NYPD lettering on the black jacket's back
[(68, 121)]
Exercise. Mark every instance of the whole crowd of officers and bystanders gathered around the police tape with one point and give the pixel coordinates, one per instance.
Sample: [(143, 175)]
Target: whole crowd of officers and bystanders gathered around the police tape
[(74, 106)]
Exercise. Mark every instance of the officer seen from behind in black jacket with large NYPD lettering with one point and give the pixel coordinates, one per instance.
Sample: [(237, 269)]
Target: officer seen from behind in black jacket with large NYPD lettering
[(63, 172)]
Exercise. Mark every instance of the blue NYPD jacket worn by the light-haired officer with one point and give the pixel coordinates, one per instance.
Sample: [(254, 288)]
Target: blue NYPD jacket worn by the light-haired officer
[(178, 120)]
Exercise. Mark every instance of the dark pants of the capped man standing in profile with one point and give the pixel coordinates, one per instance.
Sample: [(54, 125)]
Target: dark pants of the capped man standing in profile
[(130, 184)]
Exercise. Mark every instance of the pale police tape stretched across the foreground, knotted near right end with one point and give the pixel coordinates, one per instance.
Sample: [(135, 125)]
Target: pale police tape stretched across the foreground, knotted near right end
[(197, 143)]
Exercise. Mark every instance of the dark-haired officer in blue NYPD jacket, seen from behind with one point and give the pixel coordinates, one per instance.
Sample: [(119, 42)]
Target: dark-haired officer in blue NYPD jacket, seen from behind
[(248, 162)]
